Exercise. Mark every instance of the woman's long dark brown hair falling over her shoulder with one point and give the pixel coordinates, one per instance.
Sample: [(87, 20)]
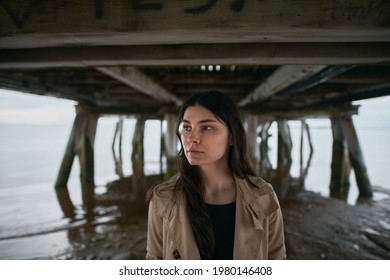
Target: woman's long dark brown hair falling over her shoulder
[(190, 180)]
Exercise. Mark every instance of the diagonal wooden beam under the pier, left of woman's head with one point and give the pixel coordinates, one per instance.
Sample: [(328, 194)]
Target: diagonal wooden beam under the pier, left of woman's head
[(135, 78)]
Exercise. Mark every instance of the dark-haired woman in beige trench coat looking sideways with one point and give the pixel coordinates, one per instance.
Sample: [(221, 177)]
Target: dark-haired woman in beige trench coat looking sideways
[(215, 208)]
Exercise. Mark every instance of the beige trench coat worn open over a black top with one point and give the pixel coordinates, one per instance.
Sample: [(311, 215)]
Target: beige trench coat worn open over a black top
[(259, 230)]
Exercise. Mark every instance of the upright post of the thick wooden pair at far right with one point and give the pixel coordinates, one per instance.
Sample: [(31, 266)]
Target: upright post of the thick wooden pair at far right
[(340, 166)]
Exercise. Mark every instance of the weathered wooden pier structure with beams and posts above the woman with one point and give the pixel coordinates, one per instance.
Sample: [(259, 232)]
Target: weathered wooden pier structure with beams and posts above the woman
[(141, 59)]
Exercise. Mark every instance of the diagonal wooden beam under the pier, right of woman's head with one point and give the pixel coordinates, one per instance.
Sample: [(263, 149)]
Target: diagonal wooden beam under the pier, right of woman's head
[(279, 80)]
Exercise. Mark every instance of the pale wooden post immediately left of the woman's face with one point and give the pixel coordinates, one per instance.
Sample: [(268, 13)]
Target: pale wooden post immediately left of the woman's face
[(170, 145)]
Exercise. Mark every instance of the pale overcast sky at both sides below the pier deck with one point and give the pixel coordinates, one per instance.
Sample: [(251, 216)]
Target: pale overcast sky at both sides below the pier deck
[(22, 108)]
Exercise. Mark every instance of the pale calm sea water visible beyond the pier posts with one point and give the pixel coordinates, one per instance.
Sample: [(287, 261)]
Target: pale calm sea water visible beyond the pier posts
[(30, 157)]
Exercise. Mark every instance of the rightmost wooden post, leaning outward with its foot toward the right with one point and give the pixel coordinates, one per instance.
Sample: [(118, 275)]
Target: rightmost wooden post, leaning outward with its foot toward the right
[(356, 157)]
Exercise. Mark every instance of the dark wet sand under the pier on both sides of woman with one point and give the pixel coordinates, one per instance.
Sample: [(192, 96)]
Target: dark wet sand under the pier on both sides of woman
[(315, 227)]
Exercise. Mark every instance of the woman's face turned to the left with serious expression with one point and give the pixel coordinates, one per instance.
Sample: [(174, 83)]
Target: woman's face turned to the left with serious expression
[(205, 138)]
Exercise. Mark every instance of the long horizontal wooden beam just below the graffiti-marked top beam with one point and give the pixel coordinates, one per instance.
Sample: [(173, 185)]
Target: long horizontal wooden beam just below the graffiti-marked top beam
[(197, 54)]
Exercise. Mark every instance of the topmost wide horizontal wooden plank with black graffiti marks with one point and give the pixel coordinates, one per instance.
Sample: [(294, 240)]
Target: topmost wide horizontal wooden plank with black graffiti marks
[(86, 22)]
